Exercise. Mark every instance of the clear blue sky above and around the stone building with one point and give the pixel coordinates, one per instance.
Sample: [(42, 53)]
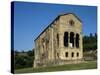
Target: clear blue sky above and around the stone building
[(30, 19)]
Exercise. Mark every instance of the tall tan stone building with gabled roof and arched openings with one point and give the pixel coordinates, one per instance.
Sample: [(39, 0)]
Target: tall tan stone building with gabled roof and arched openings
[(60, 43)]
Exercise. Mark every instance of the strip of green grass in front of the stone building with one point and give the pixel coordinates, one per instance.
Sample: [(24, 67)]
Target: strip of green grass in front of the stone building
[(81, 66)]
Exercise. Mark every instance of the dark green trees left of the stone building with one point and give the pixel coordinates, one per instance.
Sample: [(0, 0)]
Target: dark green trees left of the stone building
[(24, 59)]
